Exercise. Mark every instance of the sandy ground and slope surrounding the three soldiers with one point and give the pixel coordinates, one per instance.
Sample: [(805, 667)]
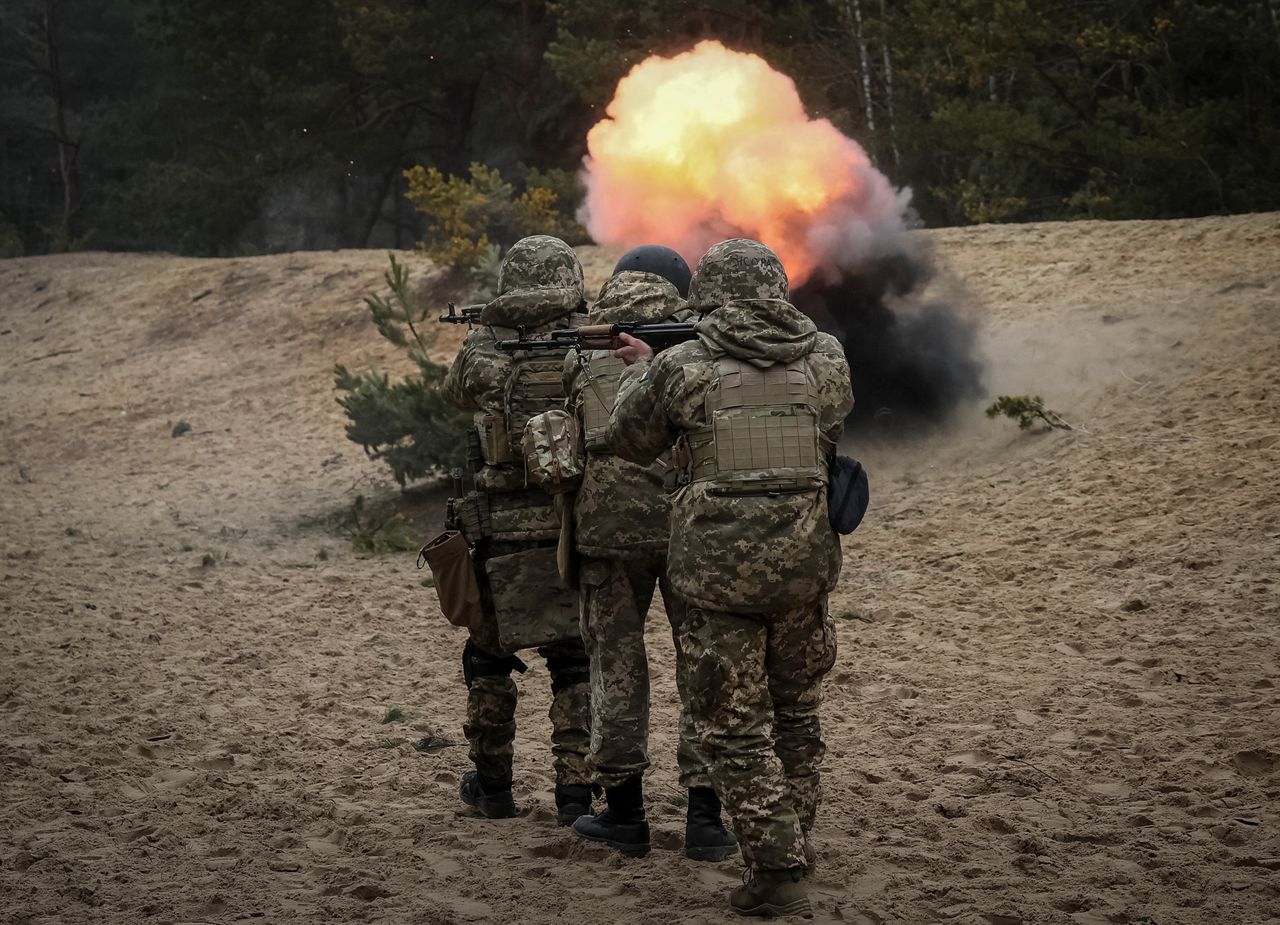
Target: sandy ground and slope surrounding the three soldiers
[(1057, 698)]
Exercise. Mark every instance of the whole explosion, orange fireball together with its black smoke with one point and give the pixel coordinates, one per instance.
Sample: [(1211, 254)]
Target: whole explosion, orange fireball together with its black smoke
[(715, 144)]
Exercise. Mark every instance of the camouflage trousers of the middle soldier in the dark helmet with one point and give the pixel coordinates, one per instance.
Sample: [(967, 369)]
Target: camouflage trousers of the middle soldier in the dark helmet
[(616, 598)]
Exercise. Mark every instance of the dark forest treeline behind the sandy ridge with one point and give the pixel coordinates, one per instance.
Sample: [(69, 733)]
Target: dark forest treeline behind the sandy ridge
[(217, 127)]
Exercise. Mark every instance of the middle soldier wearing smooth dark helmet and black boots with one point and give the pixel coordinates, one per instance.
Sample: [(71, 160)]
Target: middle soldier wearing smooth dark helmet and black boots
[(621, 530)]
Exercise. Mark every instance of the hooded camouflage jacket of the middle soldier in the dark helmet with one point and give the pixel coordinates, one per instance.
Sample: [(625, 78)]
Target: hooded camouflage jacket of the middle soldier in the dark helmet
[(623, 510)]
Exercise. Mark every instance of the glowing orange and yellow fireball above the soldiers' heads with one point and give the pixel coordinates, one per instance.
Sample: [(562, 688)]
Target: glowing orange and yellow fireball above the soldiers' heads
[(715, 144)]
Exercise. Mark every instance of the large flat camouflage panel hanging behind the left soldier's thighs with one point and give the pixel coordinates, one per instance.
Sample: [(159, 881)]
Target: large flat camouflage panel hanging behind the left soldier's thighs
[(532, 605)]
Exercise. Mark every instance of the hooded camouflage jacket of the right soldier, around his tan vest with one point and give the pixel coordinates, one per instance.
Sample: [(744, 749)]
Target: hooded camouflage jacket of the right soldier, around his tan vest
[(739, 553)]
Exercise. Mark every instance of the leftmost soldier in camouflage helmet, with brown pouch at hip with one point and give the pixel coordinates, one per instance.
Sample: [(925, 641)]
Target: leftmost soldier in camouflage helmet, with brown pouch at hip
[(514, 530)]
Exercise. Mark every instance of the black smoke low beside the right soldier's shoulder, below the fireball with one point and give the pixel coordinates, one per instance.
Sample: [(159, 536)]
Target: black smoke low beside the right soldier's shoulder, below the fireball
[(913, 361)]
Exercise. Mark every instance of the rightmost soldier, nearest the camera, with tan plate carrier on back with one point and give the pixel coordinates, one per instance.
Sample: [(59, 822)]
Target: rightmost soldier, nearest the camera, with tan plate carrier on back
[(756, 407)]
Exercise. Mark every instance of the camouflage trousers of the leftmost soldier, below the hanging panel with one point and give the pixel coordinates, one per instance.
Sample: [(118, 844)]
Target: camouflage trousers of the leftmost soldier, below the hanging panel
[(492, 695)]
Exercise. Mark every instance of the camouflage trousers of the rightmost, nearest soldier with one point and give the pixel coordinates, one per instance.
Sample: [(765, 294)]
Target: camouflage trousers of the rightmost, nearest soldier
[(756, 686)]
